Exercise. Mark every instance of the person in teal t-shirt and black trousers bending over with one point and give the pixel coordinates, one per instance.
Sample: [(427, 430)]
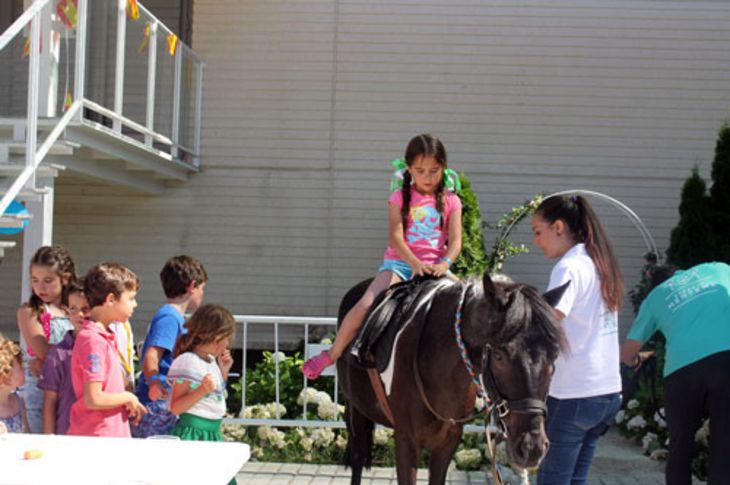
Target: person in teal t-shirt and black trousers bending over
[(691, 309)]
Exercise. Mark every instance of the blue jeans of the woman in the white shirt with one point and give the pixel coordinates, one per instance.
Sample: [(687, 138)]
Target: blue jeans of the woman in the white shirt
[(573, 428)]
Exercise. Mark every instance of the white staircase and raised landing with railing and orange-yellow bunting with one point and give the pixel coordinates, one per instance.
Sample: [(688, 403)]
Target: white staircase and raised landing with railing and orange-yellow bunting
[(99, 88)]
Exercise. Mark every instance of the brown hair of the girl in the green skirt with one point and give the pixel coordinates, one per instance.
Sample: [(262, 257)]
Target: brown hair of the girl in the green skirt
[(209, 323)]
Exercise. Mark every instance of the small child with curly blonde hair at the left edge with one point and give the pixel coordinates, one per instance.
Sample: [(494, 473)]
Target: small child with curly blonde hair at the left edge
[(13, 418)]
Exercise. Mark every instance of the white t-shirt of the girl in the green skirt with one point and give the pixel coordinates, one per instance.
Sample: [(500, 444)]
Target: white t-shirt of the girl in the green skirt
[(190, 367)]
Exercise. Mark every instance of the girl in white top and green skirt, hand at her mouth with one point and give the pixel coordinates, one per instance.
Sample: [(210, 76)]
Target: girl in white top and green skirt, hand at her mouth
[(199, 372)]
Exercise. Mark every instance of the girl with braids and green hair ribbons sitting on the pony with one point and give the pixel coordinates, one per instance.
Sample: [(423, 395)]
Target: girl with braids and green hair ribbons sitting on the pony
[(424, 238)]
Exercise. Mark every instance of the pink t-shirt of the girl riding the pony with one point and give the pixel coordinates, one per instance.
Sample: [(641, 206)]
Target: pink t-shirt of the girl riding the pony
[(425, 235)]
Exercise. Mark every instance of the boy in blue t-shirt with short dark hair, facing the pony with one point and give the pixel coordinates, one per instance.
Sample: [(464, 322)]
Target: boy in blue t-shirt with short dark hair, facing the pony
[(183, 280)]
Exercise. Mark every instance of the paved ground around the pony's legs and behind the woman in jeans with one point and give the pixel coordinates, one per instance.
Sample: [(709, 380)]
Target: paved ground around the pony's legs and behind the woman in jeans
[(617, 462)]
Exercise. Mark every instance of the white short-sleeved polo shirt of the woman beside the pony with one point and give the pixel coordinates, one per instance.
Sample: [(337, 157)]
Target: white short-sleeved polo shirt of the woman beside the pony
[(590, 367)]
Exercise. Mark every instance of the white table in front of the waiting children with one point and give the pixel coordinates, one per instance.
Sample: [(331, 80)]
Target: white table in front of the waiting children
[(115, 461)]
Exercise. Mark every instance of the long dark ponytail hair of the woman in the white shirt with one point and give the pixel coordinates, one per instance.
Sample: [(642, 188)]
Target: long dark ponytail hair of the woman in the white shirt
[(586, 228)]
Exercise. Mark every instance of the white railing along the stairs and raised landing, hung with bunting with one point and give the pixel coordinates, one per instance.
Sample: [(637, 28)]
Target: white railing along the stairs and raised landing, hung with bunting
[(185, 80)]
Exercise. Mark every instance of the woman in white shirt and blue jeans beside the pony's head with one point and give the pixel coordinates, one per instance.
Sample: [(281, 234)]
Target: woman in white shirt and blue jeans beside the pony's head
[(585, 392)]
